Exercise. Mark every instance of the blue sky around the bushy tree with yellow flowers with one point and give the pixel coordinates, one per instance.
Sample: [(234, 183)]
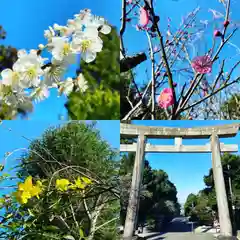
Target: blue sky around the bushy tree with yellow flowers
[(11, 140)]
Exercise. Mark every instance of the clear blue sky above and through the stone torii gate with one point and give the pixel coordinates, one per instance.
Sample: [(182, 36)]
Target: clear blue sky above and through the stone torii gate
[(186, 171)]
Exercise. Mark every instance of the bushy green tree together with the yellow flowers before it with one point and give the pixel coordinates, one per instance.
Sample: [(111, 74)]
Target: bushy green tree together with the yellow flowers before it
[(65, 192)]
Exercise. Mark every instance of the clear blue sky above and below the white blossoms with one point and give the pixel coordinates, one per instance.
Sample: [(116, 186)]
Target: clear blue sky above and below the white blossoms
[(26, 20)]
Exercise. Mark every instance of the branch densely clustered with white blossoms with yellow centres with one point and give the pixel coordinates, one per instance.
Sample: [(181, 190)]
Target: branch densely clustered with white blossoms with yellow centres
[(34, 73)]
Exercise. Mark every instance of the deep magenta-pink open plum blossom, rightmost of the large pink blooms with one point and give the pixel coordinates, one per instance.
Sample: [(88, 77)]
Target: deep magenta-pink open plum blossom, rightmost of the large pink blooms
[(202, 64)]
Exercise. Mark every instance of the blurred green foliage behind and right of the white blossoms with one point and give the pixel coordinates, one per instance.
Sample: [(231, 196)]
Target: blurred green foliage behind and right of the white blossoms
[(102, 100)]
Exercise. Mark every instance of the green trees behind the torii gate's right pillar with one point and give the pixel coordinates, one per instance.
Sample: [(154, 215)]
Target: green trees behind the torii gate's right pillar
[(203, 206)]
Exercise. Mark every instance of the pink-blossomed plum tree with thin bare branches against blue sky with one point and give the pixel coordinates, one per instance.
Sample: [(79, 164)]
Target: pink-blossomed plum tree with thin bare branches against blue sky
[(185, 82)]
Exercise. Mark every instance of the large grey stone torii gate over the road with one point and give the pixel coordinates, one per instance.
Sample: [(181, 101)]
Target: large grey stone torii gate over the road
[(214, 147)]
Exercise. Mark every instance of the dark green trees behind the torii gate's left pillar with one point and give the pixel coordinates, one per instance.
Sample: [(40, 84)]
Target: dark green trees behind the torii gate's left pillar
[(158, 193)]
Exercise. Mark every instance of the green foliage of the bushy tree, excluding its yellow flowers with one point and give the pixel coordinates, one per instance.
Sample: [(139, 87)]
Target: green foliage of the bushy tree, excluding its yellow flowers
[(68, 151)]
